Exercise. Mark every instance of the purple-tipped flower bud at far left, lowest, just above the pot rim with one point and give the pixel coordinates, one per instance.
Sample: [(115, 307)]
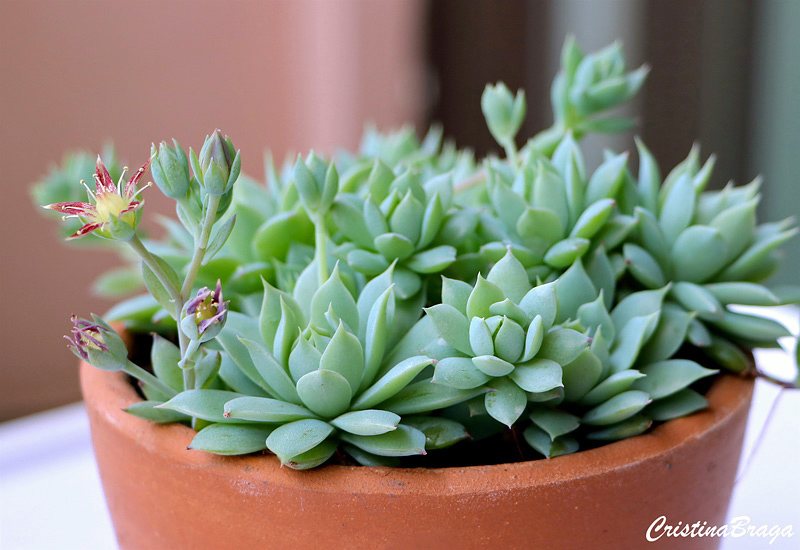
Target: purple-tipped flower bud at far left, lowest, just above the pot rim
[(98, 344)]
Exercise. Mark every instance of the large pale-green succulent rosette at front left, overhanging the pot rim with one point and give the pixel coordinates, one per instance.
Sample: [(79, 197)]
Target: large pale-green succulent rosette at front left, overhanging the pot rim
[(312, 386)]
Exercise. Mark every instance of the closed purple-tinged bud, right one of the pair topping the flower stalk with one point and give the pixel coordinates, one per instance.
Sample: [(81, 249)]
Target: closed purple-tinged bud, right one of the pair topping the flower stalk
[(218, 165)]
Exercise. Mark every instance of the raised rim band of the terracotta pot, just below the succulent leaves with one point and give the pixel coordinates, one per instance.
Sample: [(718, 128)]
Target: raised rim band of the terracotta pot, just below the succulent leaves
[(107, 393)]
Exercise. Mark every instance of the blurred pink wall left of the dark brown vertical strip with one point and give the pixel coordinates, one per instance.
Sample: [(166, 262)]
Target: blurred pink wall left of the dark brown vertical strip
[(280, 74)]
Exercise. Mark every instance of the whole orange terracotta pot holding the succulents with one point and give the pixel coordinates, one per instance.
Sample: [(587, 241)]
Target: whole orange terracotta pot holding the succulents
[(164, 496)]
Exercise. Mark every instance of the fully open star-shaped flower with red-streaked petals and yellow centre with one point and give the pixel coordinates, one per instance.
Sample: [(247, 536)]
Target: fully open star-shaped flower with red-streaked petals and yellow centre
[(107, 201)]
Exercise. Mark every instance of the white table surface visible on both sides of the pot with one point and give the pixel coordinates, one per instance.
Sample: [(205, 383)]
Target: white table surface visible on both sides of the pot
[(51, 498)]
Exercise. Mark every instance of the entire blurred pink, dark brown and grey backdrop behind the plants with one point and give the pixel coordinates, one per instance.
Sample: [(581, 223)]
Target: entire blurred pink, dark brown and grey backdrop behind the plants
[(295, 74)]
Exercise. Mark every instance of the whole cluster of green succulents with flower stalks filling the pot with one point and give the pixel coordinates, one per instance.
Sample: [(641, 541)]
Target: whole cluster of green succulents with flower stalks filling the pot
[(406, 297)]
